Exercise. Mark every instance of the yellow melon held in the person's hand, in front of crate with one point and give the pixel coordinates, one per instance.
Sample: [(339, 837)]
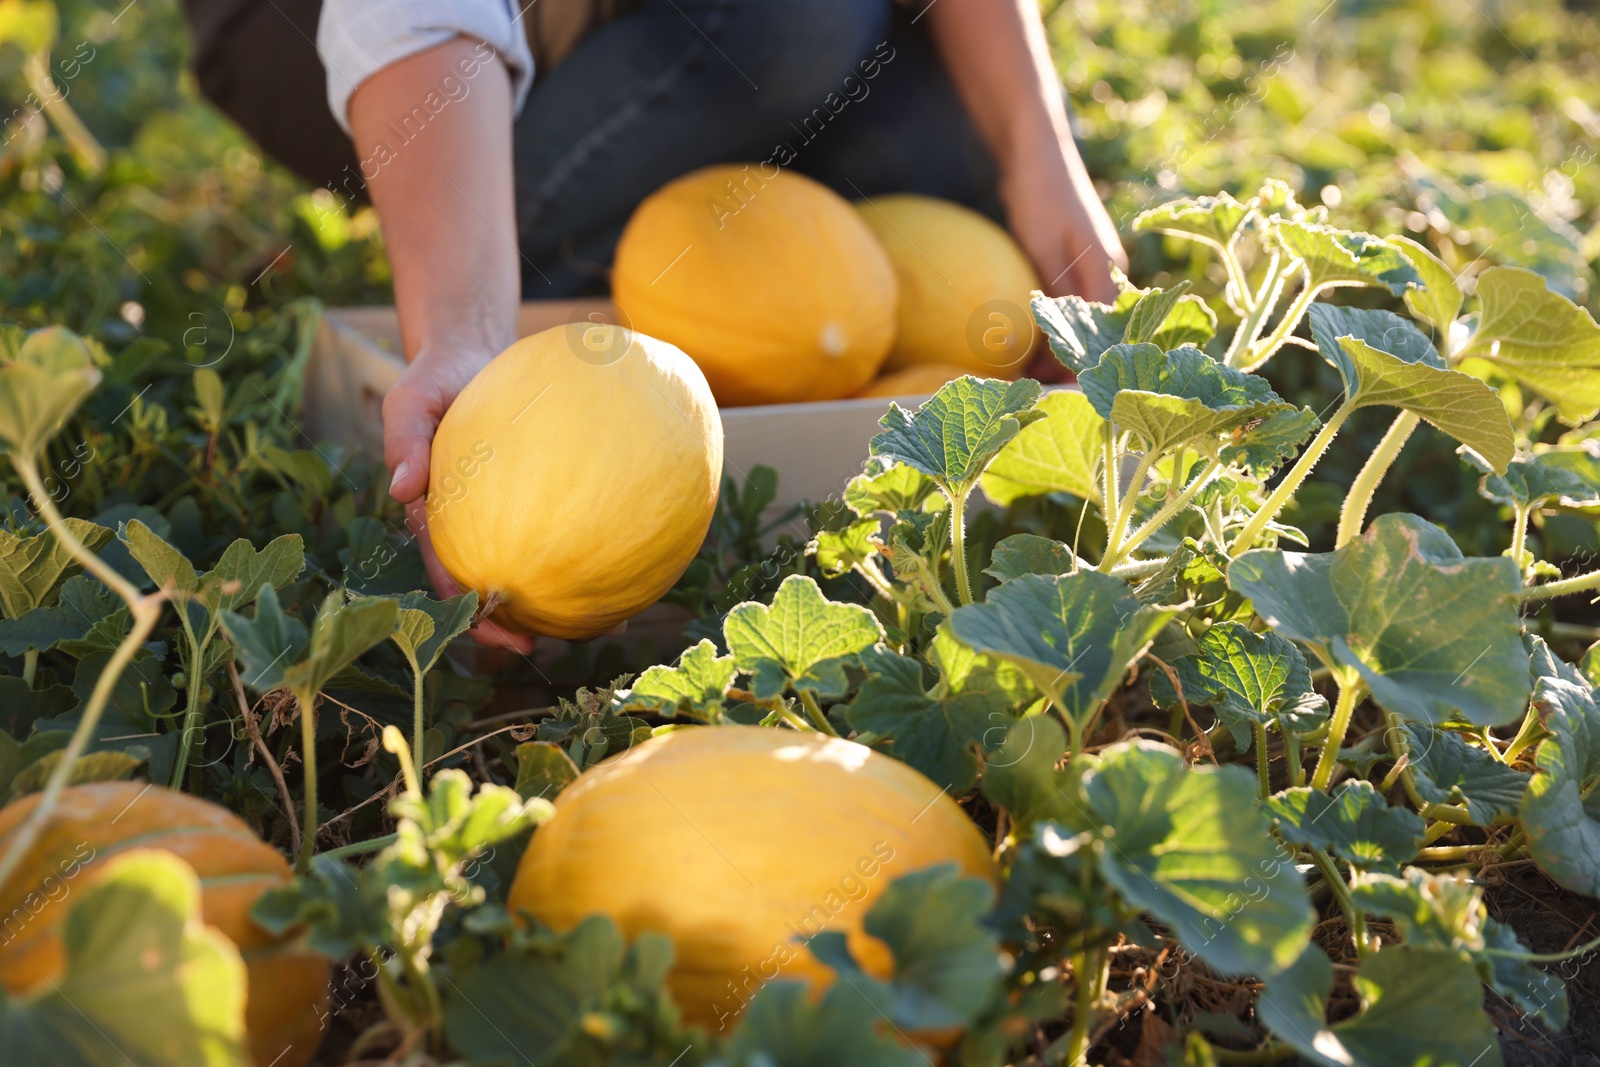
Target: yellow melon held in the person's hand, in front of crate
[(575, 478)]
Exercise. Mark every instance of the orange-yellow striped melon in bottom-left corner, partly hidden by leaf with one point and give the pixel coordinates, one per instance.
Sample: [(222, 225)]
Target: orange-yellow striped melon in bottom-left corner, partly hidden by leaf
[(289, 983)]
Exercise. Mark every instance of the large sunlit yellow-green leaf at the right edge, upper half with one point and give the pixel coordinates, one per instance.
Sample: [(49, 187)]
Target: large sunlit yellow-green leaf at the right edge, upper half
[(1542, 338)]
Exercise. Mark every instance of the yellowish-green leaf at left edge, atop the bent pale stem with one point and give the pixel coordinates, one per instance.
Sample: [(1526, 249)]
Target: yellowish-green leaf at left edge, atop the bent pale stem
[(42, 383)]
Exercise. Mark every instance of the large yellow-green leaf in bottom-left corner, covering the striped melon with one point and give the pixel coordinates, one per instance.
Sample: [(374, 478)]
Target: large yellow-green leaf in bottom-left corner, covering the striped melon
[(146, 983)]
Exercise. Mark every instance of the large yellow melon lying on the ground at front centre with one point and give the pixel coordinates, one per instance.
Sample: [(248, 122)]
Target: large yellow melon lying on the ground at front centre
[(742, 844)]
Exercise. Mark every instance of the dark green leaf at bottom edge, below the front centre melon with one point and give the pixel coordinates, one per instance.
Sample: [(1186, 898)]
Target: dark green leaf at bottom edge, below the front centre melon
[(785, 1028)]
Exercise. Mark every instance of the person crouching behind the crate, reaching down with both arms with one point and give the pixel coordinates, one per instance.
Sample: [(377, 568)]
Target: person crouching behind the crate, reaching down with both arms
[(505, 150)]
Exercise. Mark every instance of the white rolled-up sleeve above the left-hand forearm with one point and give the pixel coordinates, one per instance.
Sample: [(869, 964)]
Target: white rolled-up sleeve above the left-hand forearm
[(361, 38)]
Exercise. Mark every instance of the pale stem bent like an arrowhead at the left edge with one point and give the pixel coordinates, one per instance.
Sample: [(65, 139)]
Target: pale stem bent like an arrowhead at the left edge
[(145, 612)]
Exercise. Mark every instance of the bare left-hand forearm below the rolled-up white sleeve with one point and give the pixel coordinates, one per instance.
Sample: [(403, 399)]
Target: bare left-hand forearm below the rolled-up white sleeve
[(434, 137)]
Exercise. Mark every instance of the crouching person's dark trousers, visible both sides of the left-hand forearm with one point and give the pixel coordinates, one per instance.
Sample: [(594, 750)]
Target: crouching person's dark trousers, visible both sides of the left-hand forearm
[(847, 92)]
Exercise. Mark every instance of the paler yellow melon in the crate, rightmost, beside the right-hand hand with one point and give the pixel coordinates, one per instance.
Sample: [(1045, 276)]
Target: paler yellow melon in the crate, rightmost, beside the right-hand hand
[(964, 287)]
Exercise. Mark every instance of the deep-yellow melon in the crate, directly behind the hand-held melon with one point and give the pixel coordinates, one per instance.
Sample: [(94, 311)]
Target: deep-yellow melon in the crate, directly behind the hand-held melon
[(770, 282)]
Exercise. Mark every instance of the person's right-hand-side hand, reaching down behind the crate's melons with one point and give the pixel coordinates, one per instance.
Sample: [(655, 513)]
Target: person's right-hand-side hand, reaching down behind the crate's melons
[(1058, 220)]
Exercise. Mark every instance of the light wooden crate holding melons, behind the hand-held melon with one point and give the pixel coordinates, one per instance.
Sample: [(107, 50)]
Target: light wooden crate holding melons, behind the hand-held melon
[(814, 447)]
